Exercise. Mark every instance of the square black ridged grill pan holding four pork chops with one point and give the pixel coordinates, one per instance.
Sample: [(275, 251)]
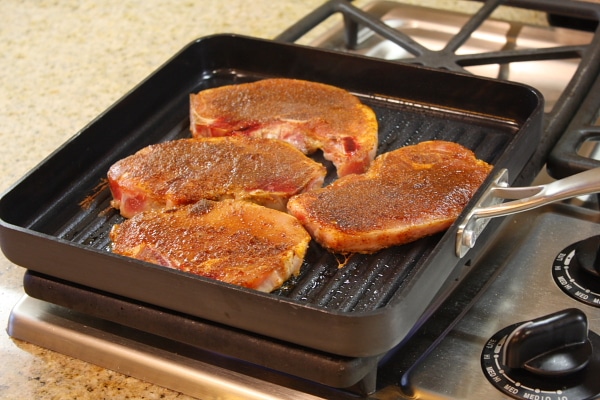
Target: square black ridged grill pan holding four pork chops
[(56, 219)]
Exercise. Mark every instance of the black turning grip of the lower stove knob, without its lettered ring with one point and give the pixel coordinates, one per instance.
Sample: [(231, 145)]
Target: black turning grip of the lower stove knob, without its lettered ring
[(553, 345)]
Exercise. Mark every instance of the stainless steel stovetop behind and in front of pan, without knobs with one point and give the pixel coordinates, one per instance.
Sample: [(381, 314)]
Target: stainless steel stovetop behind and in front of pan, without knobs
[(510, 281)]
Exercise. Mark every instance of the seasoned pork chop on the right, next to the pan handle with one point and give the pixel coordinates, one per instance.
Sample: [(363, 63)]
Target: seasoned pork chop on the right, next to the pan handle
[(407, 194)]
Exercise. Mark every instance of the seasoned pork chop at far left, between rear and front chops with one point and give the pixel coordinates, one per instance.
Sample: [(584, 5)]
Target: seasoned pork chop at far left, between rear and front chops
[(265, 171)]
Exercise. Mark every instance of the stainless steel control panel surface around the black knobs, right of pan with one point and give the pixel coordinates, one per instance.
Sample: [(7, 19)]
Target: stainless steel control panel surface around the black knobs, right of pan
[(522, 290)]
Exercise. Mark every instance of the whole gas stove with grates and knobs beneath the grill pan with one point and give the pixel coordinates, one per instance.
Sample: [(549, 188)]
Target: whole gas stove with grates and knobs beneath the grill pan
[(527, 276)]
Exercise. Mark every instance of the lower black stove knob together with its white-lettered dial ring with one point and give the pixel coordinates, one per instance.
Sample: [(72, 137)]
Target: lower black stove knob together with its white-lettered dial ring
[(553, 357)]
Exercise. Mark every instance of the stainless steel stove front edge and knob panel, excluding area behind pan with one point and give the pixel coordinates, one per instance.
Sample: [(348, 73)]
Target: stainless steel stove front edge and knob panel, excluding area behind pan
[(515, 271)]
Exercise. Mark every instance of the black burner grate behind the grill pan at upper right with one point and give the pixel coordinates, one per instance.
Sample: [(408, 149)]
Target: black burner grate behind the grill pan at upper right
[(556, 121)]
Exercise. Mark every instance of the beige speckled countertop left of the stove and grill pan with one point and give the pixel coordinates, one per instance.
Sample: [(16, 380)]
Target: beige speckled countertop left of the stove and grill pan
[(61, 64)]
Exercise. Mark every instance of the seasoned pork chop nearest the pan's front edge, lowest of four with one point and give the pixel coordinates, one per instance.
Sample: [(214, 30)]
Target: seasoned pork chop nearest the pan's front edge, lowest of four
[(233, 241)]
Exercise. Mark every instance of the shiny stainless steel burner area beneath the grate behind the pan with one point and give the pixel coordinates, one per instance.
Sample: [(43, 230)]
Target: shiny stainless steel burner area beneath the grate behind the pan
[(433, 31)]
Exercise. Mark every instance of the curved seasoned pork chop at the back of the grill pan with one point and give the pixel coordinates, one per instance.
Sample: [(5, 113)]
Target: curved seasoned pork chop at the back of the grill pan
[(308, 115)]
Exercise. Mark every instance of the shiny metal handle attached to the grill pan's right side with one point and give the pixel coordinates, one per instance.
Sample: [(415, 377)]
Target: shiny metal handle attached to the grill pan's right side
[(491, 204)]
